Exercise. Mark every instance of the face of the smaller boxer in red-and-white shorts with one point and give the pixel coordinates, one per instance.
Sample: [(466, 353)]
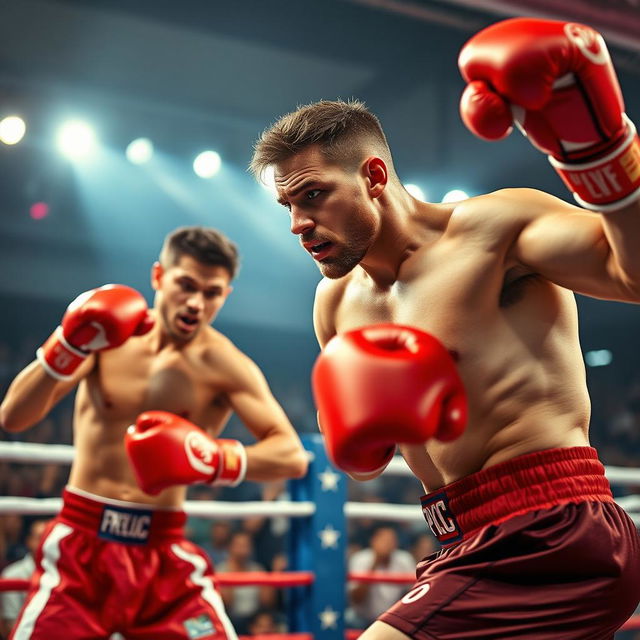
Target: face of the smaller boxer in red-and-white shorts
[(189, 295)]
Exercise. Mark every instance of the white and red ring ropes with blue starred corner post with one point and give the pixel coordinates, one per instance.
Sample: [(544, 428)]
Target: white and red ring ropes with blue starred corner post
[(317, 537)]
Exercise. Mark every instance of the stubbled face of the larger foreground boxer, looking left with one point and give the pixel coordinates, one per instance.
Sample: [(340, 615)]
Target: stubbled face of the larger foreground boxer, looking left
[(330, 208)]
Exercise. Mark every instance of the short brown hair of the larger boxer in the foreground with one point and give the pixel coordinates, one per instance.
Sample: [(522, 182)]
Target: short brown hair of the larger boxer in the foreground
[(342, 130)]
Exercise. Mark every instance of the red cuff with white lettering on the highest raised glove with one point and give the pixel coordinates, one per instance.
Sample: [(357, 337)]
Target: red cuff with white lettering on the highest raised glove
[(608, 183)]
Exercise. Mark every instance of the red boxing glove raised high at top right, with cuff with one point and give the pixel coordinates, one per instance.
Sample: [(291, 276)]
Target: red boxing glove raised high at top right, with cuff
[(557, 80)]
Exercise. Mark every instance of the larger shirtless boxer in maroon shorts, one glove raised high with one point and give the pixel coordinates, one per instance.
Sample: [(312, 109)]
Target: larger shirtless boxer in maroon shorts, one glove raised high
[(429, 311)]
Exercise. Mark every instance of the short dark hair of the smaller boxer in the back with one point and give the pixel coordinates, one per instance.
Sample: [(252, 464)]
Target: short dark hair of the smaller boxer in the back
[(205, 244)]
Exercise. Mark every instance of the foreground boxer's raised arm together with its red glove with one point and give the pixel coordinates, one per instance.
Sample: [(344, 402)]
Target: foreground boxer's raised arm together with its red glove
[(557, 81)]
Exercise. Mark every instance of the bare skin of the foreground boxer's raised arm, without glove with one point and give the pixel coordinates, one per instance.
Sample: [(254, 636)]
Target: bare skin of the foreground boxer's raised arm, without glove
[(587, 252)]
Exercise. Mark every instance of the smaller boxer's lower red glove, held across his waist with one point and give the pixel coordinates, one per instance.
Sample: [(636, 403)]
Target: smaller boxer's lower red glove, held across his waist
[(166, 450)]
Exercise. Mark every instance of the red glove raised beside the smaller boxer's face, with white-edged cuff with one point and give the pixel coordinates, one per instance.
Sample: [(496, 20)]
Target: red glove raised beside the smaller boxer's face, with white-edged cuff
[(98, 319)]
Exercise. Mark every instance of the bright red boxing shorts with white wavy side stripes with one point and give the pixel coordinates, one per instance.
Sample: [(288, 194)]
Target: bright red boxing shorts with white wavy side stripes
[(108, 566)]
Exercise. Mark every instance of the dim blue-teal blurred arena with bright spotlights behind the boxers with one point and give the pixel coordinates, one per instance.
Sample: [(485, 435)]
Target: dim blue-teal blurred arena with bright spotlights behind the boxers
[(118, 98)]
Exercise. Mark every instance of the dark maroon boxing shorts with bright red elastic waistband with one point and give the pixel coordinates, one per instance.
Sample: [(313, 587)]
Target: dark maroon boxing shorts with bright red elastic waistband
[(535, 548)]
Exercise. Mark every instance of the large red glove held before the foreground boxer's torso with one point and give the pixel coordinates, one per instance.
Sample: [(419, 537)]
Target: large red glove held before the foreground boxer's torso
[(381, 385)]
